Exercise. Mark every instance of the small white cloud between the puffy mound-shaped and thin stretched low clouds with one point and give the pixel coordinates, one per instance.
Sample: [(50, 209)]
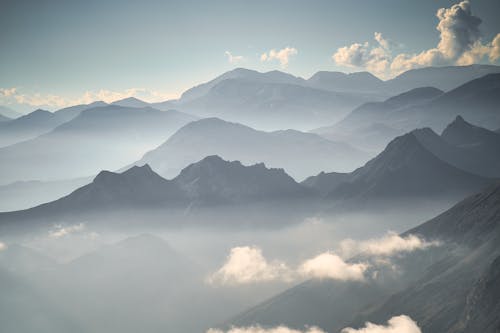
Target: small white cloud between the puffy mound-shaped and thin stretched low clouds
[(330, 266)]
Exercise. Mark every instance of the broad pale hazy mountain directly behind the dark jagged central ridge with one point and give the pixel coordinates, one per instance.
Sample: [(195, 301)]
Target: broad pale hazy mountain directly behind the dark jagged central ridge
[(300, 154)]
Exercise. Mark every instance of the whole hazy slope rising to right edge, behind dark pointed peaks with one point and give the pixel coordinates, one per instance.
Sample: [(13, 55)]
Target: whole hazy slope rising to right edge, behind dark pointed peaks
[(476, 100)]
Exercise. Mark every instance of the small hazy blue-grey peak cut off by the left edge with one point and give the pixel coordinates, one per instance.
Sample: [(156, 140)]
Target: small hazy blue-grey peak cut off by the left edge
[(27, 127)]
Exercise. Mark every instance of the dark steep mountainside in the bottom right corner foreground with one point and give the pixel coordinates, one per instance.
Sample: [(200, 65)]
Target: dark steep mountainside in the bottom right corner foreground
[(445, 299)]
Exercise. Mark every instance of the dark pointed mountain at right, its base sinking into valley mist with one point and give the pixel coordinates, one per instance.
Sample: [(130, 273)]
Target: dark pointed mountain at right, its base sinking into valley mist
[(418, 164)]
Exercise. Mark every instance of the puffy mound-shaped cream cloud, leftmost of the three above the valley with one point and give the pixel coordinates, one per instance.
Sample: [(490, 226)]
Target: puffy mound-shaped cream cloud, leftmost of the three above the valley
[(246, 264)]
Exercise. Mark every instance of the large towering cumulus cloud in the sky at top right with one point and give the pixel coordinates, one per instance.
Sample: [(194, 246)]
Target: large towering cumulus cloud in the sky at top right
[(459, 43)]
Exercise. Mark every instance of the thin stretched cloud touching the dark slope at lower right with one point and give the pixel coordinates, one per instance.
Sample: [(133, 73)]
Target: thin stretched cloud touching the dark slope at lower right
[(388, 245)]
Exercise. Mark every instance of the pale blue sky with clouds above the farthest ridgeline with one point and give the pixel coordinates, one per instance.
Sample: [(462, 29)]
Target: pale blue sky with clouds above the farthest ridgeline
[(55, 53)]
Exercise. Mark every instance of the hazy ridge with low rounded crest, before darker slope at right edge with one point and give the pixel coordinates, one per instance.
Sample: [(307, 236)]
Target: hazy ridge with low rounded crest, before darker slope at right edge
[(366, 126)]
